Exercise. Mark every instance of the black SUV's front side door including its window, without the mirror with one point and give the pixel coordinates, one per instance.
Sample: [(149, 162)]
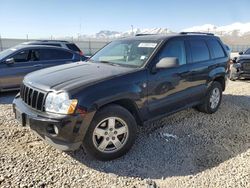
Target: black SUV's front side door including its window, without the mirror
[(167, 87)]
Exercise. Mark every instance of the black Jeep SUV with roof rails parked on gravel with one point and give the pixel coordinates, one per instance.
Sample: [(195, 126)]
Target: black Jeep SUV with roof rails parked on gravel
[(130, 81)]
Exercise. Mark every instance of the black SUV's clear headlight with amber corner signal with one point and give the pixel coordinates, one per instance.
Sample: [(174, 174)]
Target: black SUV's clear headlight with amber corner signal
[(60, 103)]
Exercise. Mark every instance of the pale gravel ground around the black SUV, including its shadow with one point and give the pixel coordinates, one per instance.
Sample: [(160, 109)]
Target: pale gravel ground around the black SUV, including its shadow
[(187, 149)]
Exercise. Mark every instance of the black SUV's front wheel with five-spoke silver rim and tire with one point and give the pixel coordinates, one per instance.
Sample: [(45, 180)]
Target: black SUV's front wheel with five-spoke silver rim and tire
[(111, 134)]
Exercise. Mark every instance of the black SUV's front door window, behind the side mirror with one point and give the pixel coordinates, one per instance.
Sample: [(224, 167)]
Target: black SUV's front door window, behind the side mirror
[(174, 49)]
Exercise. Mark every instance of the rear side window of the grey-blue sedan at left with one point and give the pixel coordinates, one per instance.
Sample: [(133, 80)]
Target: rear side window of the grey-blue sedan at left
[(54, 54)]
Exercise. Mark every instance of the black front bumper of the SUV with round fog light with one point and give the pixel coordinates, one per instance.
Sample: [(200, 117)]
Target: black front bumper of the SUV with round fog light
[(64, 132)]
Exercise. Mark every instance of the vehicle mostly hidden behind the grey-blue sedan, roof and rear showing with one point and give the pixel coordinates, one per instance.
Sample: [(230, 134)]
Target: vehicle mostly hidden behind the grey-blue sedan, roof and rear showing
[(59, 43)]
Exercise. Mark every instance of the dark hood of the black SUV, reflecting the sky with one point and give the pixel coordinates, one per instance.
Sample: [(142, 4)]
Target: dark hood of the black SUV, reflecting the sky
[(73, 75)]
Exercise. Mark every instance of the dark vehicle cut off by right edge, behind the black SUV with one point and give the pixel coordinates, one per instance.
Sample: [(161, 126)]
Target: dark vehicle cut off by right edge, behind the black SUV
[(240, 68)]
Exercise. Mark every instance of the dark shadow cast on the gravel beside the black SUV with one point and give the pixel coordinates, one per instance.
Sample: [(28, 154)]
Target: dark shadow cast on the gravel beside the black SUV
[(200, 142)]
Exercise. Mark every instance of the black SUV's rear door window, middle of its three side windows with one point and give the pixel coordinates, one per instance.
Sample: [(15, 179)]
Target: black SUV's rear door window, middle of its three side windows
[(199, 50)]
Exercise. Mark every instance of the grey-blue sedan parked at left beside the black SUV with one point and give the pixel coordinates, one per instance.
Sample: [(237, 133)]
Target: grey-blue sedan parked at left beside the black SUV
[(20, 60)]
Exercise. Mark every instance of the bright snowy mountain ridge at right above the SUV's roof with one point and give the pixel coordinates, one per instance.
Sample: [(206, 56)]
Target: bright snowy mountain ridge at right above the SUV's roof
[(235, 29)]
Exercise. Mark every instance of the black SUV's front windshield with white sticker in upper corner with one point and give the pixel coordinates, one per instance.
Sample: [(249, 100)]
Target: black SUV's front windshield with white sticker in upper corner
[(133, 53)]
